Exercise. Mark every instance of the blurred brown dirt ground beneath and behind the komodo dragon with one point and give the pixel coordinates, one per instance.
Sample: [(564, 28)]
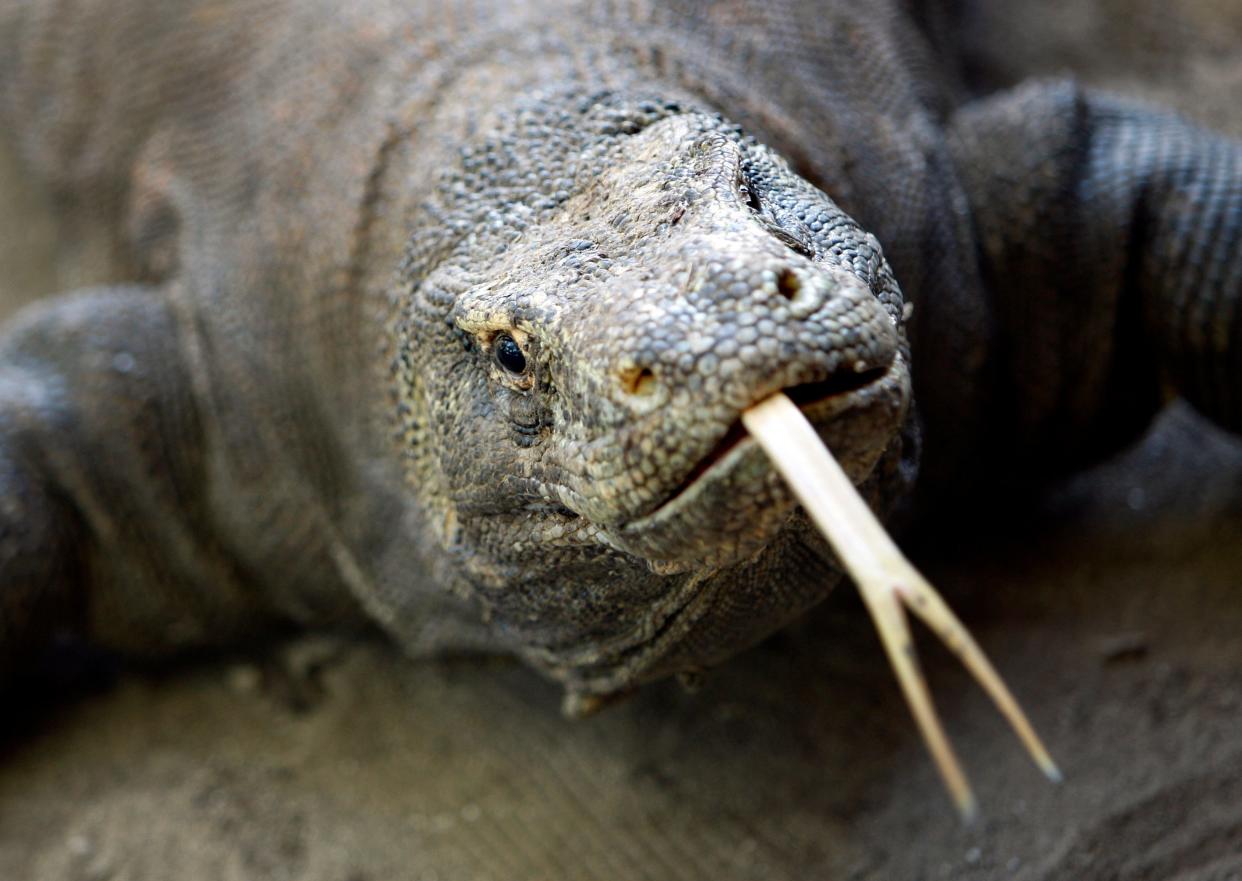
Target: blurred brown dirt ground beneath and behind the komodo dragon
[(1113, 608)]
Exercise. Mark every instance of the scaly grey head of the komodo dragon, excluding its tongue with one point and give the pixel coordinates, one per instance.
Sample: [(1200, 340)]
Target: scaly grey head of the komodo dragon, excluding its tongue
[(605, 284)]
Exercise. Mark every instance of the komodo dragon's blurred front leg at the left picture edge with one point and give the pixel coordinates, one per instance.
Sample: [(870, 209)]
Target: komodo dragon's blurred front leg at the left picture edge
[(101, 493)]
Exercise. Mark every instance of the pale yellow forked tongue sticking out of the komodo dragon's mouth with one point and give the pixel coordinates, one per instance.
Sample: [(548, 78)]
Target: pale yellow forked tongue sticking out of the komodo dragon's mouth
[(887, 582)]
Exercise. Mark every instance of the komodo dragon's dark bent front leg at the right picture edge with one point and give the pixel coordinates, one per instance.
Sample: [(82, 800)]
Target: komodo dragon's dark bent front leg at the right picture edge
[(1111, 240)]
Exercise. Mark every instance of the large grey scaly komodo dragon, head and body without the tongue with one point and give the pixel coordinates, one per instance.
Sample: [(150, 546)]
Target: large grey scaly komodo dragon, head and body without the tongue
[(444, 316)]
